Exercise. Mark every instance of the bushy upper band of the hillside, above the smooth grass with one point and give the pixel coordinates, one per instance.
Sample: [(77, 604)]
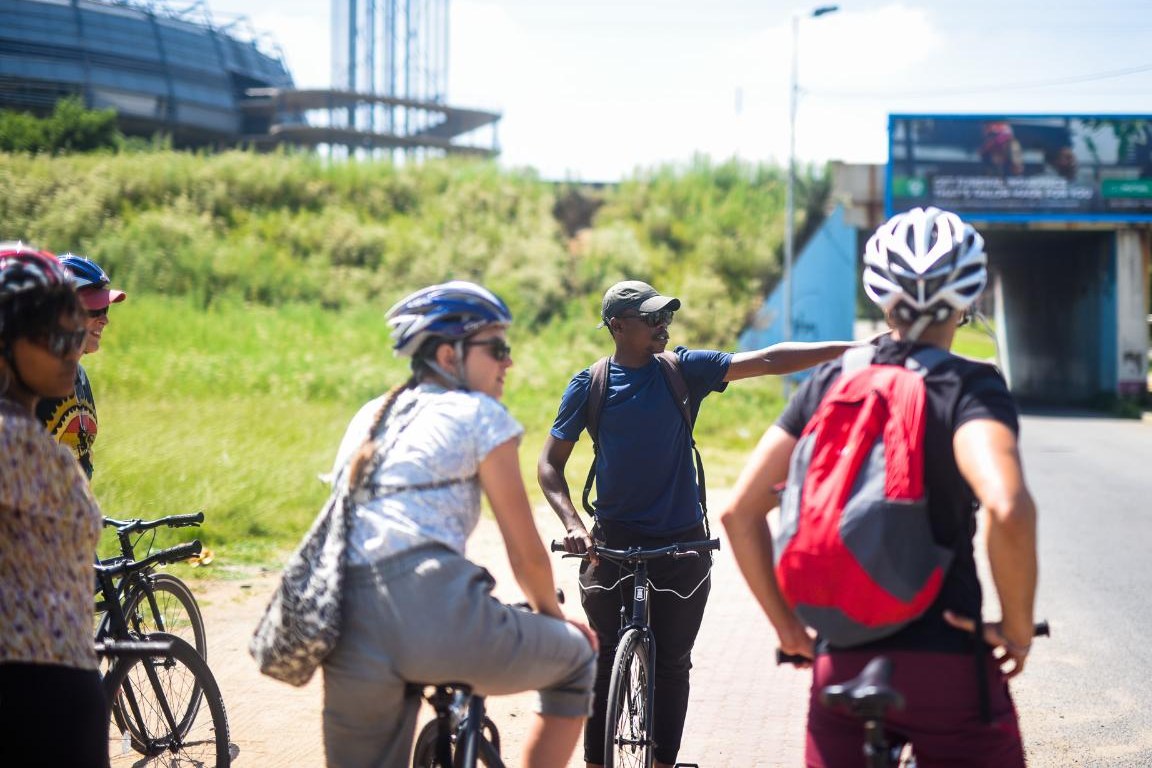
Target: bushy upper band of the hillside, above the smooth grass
[(284, 229)]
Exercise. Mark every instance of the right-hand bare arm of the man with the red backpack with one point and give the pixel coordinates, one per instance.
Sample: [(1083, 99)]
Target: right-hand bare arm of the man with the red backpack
[(989, 459)]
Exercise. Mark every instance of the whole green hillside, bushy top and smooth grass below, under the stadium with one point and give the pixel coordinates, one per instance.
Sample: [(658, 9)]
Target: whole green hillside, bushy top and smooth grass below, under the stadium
[(259, 286)]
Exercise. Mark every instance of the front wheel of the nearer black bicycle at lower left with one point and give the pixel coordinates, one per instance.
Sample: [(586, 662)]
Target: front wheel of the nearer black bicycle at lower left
[(157, 713)]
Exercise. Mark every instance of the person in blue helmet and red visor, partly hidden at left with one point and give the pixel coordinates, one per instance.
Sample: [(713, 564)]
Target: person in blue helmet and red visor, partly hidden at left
[(72, 420)]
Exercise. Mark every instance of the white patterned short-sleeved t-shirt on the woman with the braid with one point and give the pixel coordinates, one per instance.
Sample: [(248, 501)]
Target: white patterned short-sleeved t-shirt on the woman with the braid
[(434, 436)]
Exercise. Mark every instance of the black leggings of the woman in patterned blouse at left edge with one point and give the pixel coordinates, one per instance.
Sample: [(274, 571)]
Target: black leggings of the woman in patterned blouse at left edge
[(52, 717)]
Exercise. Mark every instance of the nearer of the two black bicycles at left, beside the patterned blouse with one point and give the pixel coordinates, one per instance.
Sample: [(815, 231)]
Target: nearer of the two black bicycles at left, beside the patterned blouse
[(166, 708)]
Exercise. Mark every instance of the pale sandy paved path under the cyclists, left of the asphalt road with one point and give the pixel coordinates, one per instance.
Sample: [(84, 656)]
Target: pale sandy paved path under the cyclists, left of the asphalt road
[(277, 726)]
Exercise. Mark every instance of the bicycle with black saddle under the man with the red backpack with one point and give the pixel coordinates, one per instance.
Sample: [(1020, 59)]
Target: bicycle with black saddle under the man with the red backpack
[(870, 697)]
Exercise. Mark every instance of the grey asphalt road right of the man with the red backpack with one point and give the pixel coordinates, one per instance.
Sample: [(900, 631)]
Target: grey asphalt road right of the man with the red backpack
[(1085, 698)]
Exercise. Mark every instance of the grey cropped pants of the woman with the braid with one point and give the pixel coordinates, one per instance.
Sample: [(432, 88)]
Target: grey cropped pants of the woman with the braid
[(428, 617)]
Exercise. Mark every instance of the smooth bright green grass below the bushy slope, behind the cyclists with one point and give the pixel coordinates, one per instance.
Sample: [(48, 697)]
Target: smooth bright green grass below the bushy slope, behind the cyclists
[(238, 409)]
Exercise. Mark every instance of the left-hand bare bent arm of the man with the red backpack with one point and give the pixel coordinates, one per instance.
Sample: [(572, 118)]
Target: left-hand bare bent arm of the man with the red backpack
[(746, 521)]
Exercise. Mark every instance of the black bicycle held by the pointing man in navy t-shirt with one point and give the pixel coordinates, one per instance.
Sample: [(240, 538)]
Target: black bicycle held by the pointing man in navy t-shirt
[(628, 737)]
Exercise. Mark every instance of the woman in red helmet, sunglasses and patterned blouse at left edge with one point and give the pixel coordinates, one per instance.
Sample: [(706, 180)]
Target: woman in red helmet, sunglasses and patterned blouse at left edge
[(52, 710)]
